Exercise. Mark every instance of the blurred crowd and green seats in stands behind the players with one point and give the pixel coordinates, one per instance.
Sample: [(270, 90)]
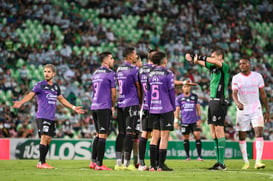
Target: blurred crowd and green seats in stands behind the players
[(70, 34)]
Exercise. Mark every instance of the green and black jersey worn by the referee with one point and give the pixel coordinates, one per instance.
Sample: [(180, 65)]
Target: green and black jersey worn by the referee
[(219, 80)]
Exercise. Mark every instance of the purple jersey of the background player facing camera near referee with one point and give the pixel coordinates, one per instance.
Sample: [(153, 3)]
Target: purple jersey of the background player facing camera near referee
[(187, 107)]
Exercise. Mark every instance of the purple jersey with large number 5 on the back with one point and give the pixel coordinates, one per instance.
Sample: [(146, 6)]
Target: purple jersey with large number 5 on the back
[(161, 96)]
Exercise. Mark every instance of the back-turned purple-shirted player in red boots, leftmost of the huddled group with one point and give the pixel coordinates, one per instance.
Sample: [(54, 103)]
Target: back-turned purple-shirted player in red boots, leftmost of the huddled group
[(104, 98)]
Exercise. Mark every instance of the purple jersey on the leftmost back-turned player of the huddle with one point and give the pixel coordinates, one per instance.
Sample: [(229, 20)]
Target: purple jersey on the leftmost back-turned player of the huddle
[(103, 80)]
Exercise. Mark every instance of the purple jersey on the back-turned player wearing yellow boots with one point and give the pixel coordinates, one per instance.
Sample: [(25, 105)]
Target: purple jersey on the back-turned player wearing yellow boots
[(127, 76)]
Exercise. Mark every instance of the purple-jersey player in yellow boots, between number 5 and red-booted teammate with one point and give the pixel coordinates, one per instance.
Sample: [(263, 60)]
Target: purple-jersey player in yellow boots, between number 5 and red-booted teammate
[(129, 100)]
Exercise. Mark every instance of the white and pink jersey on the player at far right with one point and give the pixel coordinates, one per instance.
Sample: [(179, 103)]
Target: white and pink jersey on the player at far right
[(248, 90)]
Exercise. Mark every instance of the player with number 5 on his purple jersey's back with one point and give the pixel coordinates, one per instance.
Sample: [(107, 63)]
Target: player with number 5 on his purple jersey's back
[(161, 102)]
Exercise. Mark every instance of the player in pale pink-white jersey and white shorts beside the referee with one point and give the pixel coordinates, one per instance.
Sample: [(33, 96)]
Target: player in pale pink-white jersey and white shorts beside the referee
[(247, 87)]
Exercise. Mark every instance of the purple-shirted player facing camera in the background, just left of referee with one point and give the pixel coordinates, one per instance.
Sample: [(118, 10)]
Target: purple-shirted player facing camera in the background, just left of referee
[(187, 104)]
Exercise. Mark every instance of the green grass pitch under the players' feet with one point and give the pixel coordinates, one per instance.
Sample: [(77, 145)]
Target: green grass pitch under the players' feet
[(25, 170)]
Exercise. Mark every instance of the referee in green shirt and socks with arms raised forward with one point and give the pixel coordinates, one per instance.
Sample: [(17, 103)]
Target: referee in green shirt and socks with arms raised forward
[(220, 73)]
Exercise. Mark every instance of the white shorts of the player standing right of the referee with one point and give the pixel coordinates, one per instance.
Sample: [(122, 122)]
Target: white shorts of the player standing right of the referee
[(243, 120)]
